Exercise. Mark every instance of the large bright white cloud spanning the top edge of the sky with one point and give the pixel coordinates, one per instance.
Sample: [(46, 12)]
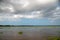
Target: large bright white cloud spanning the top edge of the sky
[(30, 4)]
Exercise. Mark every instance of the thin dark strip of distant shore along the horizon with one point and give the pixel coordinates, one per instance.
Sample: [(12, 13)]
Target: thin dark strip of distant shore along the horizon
[(29, 25)]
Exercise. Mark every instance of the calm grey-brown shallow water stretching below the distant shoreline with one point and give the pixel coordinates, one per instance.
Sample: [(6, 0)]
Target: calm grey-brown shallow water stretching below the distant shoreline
[(28, 33)]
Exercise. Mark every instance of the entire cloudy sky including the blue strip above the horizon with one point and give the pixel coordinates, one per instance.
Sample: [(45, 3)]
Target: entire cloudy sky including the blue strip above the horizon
[(29, 12)]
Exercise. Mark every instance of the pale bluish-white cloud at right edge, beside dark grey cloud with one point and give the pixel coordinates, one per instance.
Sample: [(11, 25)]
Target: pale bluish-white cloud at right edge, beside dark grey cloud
[(56, 15)]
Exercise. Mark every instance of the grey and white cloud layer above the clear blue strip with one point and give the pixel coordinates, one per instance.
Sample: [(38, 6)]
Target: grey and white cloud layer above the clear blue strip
[(14, 10)]
